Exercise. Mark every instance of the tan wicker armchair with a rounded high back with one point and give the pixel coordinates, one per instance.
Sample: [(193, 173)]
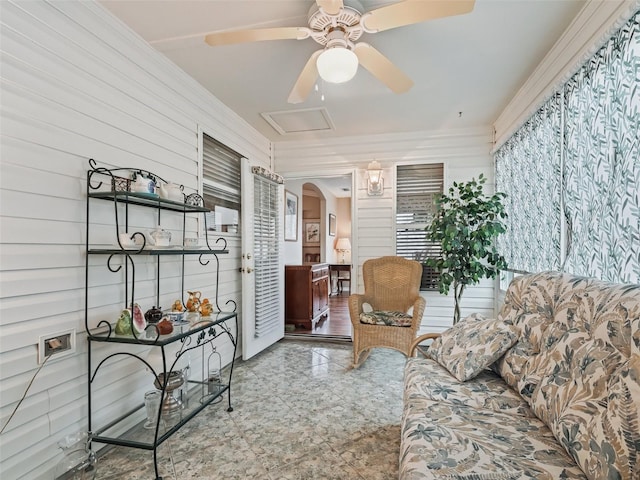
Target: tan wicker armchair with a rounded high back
[(391, 284)]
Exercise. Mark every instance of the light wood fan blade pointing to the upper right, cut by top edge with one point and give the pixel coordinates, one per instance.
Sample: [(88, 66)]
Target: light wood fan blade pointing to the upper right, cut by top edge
[(413, 11)]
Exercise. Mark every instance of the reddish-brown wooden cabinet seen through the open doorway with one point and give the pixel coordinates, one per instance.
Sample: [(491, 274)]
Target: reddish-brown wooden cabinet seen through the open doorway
[(306, 293)]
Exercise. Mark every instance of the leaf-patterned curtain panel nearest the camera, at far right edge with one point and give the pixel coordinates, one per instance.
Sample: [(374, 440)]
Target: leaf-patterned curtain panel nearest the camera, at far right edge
[(602, 160)]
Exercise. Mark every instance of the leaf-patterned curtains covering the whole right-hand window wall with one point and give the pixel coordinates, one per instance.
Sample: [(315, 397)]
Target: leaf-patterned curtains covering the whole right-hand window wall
[(580, 155)]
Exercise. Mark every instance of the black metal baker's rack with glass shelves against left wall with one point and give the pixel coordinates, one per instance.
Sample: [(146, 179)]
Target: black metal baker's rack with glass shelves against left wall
[(113, 185)]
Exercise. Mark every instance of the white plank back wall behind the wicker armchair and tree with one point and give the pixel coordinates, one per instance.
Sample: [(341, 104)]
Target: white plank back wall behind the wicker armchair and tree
[(465, 154)]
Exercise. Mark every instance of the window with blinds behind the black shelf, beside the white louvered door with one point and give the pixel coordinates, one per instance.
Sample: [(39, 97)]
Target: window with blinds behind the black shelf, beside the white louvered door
[(221, 185)]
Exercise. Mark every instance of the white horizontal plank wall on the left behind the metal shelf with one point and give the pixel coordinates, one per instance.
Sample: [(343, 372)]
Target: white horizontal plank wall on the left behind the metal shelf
[(78, 84)]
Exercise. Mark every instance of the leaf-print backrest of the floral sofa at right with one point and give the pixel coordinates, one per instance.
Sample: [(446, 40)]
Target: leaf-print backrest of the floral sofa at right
[(574, 364)]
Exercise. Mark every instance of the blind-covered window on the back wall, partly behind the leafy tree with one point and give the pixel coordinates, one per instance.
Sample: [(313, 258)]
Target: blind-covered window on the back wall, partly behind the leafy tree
[(417, 187)]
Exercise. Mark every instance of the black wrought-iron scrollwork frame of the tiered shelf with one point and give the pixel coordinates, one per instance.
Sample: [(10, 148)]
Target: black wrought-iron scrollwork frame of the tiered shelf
[(116, 185)]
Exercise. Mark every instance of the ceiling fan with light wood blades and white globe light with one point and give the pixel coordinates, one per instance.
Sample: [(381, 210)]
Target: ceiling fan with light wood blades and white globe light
[(337, 27)]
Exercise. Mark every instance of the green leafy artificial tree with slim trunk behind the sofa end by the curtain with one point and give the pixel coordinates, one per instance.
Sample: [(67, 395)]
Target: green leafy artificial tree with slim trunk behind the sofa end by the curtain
[(466, 225)]
